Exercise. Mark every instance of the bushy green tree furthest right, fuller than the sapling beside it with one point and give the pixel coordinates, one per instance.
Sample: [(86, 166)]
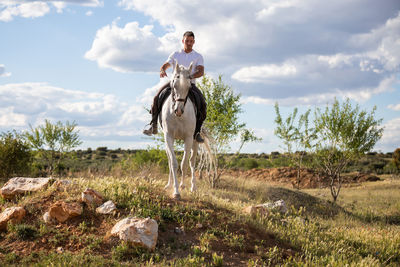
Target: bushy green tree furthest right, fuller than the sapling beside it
[(344, 134)]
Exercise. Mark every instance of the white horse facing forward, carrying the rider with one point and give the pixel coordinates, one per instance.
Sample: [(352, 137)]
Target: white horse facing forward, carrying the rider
[(178, 121)]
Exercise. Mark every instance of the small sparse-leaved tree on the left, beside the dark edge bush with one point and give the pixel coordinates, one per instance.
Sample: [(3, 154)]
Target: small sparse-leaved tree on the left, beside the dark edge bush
[(53, 141)]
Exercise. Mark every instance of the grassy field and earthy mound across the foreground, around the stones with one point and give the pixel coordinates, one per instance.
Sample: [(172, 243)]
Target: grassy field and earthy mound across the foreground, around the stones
[(209, 228)]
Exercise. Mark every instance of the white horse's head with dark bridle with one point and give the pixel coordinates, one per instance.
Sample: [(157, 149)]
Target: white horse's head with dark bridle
[(180, 85)]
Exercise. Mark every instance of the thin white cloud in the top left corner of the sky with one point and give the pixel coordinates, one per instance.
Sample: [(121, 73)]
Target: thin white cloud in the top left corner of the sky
[(37, 8)]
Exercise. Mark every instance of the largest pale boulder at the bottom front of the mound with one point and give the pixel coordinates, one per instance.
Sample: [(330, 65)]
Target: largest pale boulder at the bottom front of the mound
[(137, 232)]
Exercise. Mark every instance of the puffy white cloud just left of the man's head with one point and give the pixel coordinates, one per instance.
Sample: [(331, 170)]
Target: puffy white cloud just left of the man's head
[(130, 48)]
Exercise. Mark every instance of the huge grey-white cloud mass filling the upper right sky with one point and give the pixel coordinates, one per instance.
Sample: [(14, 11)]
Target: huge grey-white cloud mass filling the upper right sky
[(286, 49)]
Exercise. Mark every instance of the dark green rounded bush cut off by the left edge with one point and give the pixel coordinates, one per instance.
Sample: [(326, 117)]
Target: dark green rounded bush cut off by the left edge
[(15, 156)]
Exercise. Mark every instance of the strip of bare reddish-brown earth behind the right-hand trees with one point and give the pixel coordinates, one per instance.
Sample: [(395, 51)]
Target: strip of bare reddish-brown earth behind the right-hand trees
[(308, 178)]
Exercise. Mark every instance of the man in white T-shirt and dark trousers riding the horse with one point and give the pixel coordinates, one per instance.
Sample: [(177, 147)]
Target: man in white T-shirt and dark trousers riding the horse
[(183, 57)]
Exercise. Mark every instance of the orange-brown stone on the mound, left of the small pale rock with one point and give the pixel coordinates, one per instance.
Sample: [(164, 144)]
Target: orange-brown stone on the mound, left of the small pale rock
[(62, 211)]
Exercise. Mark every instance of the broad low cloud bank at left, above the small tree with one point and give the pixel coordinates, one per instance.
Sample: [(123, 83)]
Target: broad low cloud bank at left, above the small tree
[(98, 115)]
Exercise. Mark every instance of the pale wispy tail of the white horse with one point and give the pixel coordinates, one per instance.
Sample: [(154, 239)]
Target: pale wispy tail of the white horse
[(208, 158)]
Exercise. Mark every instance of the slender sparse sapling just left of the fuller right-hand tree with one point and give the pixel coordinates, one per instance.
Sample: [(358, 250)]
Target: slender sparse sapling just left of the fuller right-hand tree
[(297, 137)]
